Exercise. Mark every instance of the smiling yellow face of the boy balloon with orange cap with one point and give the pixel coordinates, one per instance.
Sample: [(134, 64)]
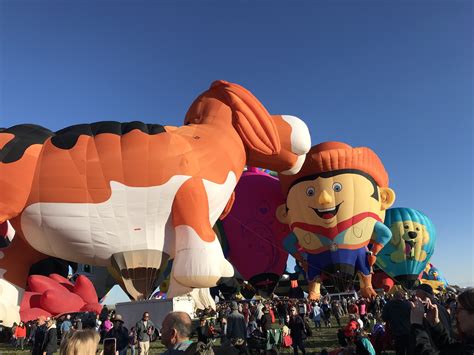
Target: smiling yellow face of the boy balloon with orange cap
[(320, 208)]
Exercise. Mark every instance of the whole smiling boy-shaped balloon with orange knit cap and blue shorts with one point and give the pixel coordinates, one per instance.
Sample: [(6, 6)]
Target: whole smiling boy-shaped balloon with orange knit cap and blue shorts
[(335, 207)]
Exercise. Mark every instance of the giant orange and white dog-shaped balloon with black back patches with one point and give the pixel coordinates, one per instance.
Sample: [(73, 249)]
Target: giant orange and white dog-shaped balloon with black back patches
[(130, 196)]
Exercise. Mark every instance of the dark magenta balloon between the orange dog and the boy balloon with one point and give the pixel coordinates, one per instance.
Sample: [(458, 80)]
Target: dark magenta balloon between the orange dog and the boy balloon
[(253, 232)]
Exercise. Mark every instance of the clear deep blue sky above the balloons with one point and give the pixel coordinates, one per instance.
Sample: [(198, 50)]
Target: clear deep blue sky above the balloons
[(392, 75)]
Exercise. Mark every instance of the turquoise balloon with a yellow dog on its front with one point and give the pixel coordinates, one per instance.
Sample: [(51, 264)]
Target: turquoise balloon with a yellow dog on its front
[(412, 244)]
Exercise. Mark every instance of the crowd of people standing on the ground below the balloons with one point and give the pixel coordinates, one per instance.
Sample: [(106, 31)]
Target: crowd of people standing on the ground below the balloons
[(416, 323)]
